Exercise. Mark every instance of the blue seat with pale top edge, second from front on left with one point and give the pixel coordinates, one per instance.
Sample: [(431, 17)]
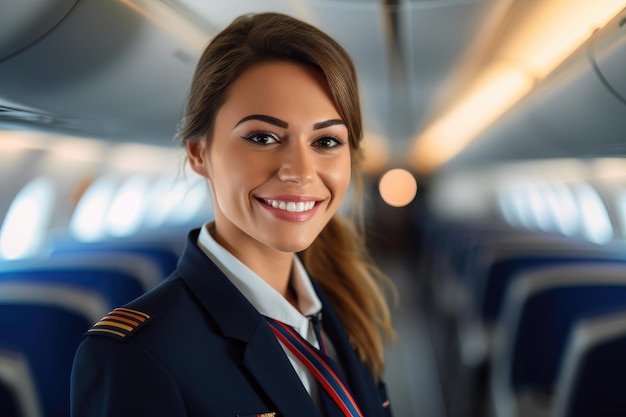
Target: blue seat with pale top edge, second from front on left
[(46, 323)]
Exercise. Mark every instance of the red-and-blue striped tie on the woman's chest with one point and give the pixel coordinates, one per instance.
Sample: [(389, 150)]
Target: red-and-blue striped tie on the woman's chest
[(321, 367)]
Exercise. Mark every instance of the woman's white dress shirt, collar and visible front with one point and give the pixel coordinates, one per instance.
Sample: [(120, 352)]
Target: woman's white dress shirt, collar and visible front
[(270, 302)]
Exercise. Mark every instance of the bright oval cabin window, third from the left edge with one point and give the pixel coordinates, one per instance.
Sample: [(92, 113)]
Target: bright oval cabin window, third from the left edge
[(125, 213)]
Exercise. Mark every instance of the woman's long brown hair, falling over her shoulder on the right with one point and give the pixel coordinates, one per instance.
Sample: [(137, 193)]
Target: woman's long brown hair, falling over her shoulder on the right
[(337, 259)]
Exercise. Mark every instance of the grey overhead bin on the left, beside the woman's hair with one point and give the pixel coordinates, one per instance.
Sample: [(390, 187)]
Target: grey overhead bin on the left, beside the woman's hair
[(109, 69)]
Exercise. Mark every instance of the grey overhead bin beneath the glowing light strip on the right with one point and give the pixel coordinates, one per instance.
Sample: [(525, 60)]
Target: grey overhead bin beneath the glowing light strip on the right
[(561, 116)]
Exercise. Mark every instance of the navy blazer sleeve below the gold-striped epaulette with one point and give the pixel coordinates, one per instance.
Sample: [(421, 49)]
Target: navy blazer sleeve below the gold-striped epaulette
[(119, 379)]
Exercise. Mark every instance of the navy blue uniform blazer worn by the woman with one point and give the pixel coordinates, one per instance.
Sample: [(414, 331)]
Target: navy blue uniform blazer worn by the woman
[(203, 351)]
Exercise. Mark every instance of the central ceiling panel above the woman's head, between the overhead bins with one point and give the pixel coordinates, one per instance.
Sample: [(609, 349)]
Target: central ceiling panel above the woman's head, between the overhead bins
[(411, 56)]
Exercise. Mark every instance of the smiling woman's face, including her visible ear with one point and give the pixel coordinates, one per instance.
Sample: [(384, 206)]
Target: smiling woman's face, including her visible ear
[(278, 162)]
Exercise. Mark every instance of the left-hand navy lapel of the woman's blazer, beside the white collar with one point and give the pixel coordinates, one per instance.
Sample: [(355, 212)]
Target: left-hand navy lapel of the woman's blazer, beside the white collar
[(264, 358)]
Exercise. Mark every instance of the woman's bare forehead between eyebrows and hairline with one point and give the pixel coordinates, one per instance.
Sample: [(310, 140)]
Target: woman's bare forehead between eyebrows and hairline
[(281, 89)]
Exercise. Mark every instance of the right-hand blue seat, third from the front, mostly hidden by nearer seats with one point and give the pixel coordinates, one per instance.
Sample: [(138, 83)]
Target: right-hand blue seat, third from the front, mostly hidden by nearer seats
[(497, 261)]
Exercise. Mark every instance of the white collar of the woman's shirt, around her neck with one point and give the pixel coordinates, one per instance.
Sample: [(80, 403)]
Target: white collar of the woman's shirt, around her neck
[(259, 293)]
